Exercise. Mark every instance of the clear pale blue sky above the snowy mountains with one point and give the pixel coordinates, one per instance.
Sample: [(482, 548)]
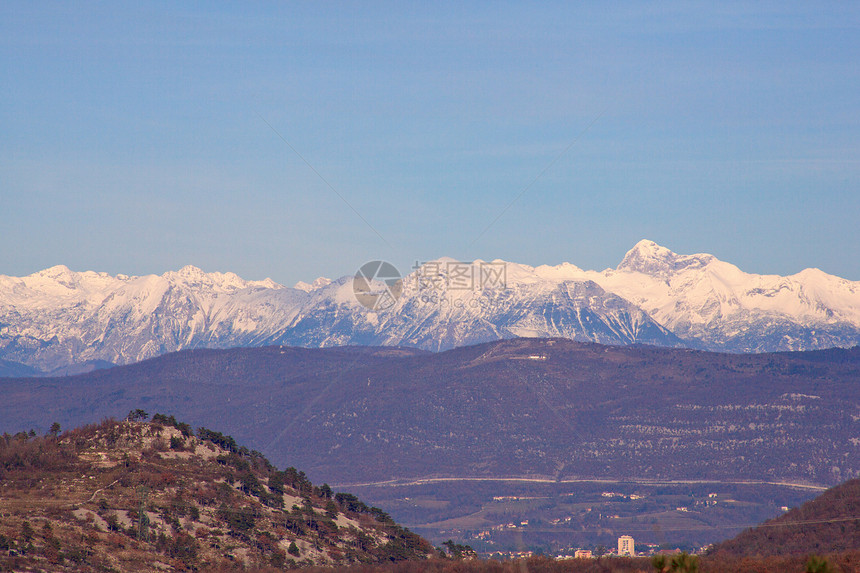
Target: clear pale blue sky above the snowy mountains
[(135, 140)]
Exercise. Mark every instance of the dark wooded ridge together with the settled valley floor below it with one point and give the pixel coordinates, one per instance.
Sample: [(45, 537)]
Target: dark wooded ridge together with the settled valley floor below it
[(551, 419)]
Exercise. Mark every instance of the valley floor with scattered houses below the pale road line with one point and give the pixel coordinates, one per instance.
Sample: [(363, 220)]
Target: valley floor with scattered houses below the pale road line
[(556, 518)]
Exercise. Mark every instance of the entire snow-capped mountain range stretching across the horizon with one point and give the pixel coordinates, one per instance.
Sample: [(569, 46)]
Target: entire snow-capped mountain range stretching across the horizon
[(57, 317)]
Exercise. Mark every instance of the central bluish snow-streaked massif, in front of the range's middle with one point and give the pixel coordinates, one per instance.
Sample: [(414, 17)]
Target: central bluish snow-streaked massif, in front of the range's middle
[(443, 319)]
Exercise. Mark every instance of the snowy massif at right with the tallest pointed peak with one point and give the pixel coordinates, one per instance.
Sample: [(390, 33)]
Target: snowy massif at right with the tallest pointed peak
[(699, 297)]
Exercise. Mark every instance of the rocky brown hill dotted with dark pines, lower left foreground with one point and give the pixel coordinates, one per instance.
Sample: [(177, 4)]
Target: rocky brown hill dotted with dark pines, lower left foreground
[(141, 496)]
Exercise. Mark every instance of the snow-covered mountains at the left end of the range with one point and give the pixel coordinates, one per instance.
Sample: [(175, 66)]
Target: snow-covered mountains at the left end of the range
[(57, 317)]
